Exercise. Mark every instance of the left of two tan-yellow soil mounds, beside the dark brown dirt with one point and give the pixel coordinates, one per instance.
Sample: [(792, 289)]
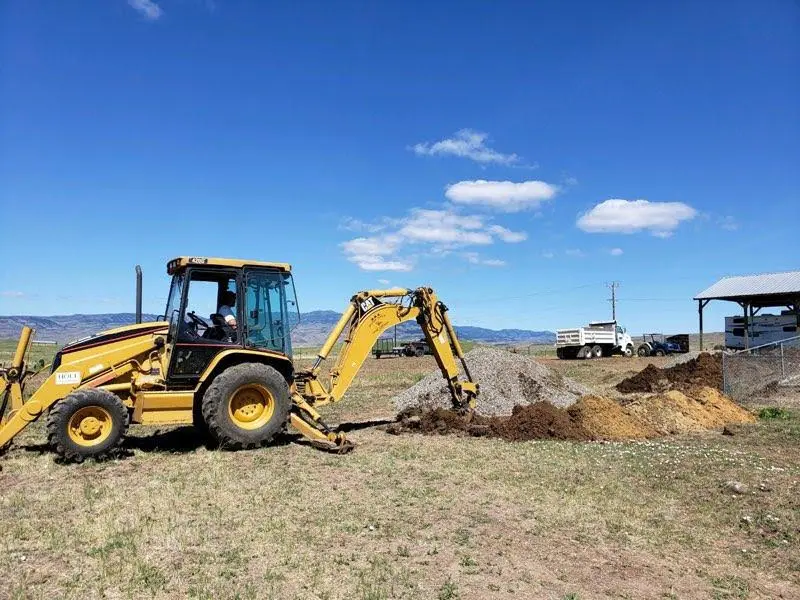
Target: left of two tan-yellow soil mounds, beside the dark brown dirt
[(605, 419)]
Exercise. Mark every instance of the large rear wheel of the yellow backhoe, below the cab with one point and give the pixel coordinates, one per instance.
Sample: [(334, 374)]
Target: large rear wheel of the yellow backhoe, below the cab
[(246, 406)]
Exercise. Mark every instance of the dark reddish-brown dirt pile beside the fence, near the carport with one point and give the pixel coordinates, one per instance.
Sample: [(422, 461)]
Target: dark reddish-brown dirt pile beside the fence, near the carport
[(703, 371)]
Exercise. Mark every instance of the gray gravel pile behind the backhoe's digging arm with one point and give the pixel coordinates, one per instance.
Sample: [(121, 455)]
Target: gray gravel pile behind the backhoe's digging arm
[(505, 379)]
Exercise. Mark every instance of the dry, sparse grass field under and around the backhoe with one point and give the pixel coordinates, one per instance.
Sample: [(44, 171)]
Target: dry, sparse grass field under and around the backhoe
[(411, 516)]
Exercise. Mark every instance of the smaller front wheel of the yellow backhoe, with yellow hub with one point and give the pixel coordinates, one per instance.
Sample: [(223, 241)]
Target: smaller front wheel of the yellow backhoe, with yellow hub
[(88, 423)]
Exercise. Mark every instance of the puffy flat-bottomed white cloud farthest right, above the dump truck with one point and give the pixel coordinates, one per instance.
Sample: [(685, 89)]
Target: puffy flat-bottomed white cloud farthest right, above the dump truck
[(629, 216)]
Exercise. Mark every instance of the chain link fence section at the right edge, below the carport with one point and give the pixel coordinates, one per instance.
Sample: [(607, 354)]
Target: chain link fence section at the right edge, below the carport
[(749, 372)]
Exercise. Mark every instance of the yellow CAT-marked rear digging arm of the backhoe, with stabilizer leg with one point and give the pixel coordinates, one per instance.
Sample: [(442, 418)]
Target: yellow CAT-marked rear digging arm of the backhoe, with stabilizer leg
[(368, 315)]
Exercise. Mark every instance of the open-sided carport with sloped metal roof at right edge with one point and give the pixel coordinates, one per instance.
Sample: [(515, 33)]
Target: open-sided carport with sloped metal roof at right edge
[(752, 293)]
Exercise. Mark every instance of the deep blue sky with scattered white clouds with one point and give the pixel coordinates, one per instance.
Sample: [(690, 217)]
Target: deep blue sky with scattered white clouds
[(517, 156)]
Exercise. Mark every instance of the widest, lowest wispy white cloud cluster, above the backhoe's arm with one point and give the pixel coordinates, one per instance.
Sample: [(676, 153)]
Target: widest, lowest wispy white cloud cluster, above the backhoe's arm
[(434, 233)]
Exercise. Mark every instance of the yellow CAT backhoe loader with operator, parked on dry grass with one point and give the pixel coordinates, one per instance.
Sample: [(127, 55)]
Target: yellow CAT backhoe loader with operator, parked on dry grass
[(230, 374)]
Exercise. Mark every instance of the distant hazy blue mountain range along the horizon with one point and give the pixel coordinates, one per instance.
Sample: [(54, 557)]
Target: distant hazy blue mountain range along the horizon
[(312, 330)]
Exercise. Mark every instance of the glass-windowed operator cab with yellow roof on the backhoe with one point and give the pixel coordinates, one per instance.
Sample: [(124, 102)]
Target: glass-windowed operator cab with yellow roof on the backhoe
[(219, 304)]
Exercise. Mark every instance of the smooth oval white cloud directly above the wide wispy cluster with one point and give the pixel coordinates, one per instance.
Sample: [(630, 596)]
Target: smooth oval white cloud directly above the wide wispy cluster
[(503, 195)]
